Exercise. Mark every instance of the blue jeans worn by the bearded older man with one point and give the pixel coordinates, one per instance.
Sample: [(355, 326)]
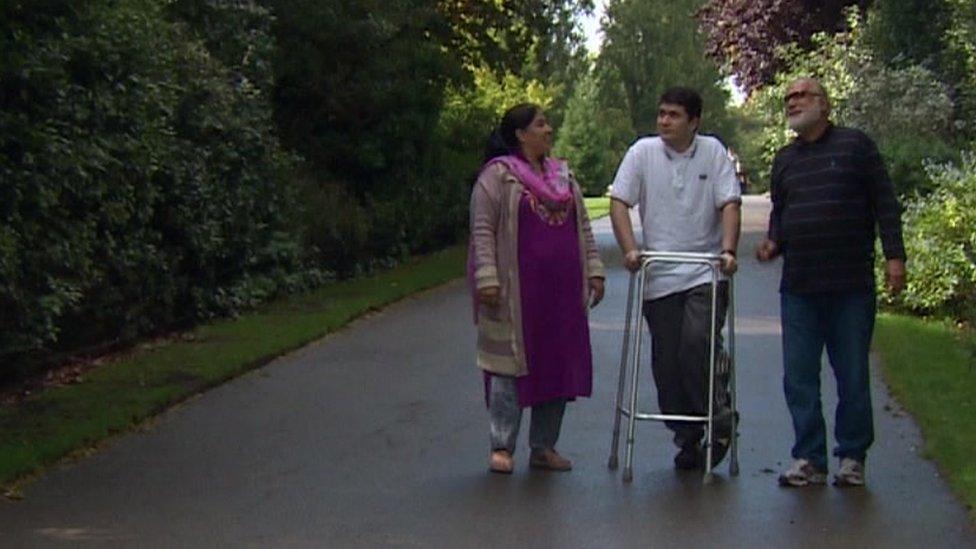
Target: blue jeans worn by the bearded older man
[(843, 323)]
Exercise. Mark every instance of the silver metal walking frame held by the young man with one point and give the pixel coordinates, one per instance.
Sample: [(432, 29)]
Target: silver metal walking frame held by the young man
[(630, 355)]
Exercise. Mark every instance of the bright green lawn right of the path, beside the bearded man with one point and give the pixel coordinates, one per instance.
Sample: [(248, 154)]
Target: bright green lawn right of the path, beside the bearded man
[(929, 370)]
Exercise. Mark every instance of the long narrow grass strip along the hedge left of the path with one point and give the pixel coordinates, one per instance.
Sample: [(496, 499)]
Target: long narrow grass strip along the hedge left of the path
[(130, 389)]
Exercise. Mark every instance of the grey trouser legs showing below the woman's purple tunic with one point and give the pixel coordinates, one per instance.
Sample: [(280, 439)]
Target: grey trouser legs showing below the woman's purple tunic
[(506, 417)]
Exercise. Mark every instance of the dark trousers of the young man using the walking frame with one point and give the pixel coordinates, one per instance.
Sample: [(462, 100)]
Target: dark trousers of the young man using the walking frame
[(679, 325)]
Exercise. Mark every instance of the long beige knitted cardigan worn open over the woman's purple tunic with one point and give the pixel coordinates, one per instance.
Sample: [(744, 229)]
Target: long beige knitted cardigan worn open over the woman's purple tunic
[(494, 250)]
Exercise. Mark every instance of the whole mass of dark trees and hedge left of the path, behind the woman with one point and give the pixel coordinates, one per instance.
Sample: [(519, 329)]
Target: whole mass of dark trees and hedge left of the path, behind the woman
[(165, 162)]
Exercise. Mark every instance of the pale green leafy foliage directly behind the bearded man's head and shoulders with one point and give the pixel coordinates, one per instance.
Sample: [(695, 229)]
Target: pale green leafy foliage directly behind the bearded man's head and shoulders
[(906, 110)]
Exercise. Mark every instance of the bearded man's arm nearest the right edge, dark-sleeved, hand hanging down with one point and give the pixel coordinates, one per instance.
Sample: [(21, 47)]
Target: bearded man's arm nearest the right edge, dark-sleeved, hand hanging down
[(887, 213)]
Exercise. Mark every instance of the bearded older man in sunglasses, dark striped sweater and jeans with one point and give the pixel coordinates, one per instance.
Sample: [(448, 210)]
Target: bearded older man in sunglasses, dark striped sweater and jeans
[(829, 191)]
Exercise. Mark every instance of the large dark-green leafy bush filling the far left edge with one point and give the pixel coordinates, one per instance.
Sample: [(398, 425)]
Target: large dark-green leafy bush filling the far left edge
[(143, 184)]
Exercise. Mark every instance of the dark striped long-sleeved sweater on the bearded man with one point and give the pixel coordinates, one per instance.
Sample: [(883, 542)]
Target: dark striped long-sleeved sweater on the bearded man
[(828, 196)]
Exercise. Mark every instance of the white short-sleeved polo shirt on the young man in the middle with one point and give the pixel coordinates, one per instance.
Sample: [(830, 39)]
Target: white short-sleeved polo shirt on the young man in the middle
[(680, 197)]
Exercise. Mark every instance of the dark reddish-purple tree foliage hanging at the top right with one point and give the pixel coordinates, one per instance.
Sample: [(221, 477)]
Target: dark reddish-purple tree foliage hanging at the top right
[(743, 35)]
